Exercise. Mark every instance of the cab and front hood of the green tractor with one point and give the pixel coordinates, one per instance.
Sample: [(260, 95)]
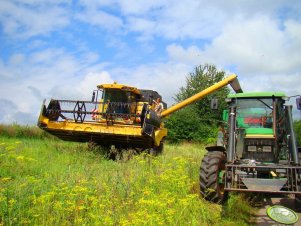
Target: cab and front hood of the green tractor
[(256, 127)]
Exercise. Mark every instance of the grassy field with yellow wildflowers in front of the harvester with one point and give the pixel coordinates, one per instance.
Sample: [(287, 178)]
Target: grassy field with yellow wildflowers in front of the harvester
[(51, 182)]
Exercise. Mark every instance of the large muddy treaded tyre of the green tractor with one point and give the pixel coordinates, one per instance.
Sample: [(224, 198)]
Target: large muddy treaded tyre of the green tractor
[(211, 177)]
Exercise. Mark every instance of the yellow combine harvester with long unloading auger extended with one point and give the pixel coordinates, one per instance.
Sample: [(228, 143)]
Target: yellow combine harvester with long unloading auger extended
[(118, 115)]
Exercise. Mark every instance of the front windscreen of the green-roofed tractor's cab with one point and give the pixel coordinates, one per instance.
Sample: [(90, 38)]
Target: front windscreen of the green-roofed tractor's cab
[(256, 113)]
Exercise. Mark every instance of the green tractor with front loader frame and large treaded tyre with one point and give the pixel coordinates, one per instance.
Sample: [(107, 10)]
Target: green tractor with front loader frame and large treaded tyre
[(256, 150)]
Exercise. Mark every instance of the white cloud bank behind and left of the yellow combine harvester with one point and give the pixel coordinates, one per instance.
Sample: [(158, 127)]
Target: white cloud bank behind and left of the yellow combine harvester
[(51, 73)]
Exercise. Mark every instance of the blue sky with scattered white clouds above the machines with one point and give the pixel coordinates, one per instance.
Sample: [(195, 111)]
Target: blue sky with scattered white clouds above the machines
[(62, 49)]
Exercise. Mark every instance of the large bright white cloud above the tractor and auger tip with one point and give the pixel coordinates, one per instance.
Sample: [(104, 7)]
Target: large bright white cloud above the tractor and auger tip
[(266, 57)]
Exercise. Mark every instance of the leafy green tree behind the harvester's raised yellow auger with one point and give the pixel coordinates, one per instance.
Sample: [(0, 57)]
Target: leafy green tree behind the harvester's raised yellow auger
[(198, 121)]
